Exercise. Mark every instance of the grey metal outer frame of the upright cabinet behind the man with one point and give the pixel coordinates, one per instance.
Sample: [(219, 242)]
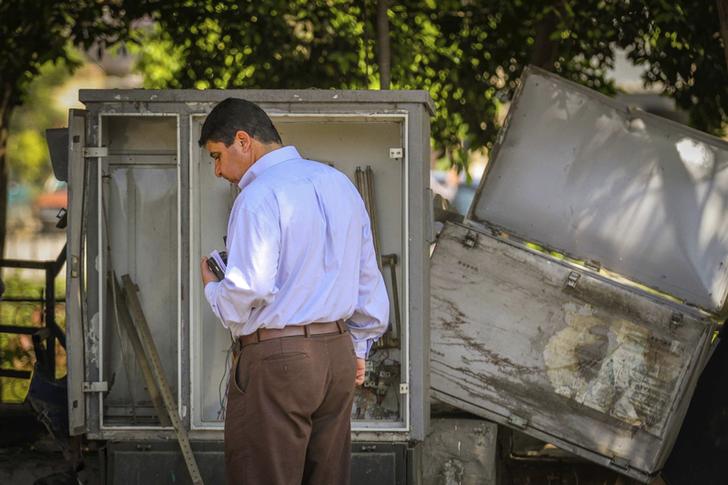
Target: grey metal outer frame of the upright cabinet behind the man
[(186, 104)]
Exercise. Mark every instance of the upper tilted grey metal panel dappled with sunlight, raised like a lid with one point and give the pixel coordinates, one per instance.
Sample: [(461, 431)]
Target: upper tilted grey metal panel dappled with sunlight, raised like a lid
[(589, 176)]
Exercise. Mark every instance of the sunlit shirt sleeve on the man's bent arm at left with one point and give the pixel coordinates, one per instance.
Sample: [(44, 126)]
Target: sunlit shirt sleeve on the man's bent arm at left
[(250, 278)]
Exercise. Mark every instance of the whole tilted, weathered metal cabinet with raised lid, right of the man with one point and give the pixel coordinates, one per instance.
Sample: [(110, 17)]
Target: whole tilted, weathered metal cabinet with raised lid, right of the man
[(577, 301)]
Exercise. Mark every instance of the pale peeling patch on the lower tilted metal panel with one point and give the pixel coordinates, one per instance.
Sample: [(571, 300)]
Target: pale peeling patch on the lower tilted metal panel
[(613, 366)]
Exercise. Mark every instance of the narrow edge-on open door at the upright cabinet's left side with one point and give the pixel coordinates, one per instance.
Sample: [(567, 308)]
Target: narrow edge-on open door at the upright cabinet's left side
[(74, 272)]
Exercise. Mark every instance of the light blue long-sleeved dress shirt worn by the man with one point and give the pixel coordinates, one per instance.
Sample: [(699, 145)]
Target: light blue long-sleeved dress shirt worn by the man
[(300, 250)]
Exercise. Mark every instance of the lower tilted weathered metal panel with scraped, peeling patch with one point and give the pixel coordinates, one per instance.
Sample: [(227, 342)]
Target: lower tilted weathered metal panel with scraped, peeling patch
[(561, 352)]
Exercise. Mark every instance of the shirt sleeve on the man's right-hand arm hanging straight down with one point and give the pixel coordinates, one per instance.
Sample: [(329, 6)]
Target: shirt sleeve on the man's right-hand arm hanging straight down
[(371, 316)]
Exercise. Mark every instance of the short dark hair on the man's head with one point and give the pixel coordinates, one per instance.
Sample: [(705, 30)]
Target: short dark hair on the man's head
[(234, 114)]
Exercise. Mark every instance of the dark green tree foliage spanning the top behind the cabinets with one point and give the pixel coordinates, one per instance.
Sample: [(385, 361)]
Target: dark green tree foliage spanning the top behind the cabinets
[(467, 54)]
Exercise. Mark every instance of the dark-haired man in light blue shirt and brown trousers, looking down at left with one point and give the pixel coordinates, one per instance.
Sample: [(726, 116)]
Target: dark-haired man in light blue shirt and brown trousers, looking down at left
[(303, 295)]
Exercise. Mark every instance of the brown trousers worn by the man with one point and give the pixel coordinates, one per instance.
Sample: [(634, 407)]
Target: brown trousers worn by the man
[(288, 417)]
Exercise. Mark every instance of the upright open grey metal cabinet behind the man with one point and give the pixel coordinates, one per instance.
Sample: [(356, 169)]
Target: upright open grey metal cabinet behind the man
[(145, 203)]
